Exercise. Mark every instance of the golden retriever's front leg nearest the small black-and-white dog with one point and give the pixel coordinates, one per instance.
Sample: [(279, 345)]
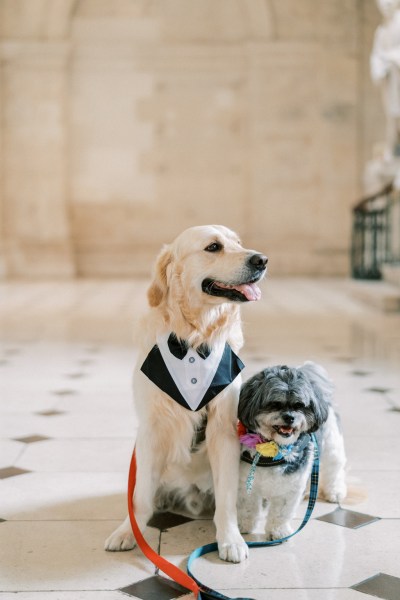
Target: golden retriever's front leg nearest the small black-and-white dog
[(223, 450)]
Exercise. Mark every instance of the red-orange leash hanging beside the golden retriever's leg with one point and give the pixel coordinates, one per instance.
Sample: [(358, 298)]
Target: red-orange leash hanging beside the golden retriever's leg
[(166, 567)]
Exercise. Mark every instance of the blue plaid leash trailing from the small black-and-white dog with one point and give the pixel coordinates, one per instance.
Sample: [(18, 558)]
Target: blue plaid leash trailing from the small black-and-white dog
[(207, 593)]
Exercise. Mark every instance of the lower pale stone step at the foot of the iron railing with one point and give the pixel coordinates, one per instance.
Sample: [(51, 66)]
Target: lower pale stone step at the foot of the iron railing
[(378, 294)]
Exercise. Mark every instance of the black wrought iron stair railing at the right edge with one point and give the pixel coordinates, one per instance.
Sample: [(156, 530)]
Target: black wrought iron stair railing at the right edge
[(376, 234)]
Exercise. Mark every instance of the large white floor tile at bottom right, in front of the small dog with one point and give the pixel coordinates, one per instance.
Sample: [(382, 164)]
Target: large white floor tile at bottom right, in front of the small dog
[(321, 556)]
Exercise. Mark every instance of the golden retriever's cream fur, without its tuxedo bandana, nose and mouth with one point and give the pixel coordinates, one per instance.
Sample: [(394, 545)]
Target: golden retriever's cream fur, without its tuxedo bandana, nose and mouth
[(163, 446)]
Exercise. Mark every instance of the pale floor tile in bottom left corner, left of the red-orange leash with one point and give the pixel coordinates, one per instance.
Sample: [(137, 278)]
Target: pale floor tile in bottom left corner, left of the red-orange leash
[(67, 555)]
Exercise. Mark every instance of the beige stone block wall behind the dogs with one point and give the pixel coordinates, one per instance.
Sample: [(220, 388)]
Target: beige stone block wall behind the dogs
[(125, 121)]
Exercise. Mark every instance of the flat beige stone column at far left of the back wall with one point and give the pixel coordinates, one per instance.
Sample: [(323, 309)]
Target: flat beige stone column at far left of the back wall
[(34, 172)]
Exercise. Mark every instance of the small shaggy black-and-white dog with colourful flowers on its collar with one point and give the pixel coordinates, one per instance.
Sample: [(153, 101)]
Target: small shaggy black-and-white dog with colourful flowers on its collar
[(278, 408)]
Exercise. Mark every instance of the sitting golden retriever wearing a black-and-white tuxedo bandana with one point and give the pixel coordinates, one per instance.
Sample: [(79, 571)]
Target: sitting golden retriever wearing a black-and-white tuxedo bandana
[(199, 282)]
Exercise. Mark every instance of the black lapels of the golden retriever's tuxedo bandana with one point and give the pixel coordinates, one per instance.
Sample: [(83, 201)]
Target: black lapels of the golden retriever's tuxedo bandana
[(156, 370)]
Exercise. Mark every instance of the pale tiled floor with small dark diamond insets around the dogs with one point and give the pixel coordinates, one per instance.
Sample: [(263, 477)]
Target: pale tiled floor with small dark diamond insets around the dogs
[(67, 431)]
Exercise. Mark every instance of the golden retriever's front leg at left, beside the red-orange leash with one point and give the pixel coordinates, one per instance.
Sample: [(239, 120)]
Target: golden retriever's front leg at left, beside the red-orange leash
[(148, 474)]
